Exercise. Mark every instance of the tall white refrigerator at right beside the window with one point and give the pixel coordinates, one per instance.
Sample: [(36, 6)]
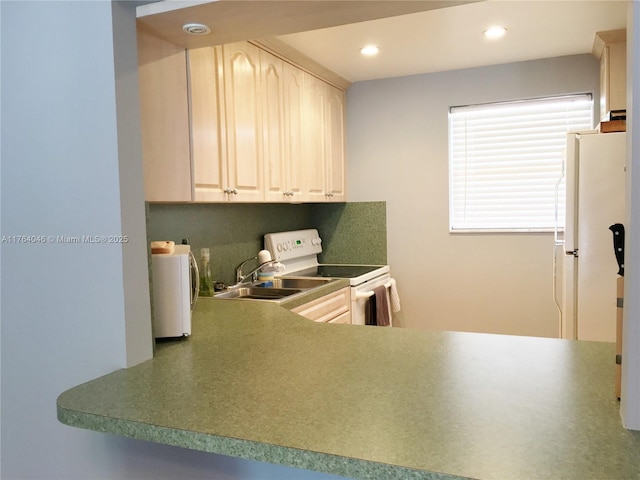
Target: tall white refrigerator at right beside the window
[(595, 200)]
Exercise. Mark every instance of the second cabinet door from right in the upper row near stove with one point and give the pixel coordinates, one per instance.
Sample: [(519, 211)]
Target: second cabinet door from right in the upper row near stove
[(314, 125)]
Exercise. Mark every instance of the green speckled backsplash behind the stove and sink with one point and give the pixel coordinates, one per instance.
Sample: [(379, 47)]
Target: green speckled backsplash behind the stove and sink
[(351, 232)]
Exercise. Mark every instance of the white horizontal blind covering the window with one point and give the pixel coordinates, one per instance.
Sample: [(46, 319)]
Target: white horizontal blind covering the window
[(506, 159)]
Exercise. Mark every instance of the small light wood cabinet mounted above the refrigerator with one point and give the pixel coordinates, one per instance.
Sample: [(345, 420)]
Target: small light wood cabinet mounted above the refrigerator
[(611, 48)]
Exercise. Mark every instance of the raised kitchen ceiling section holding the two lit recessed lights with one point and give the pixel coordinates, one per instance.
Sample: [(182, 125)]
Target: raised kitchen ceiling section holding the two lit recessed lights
[(451, 38)]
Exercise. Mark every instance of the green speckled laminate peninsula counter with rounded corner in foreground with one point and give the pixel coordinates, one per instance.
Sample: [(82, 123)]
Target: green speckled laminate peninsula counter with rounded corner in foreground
[(257, 381)]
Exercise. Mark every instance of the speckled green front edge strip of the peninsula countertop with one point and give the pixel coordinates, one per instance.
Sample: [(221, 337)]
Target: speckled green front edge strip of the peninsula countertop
[(246, 449)]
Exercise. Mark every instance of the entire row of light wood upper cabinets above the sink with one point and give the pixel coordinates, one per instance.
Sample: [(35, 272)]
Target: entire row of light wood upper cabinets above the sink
[(237, 123)]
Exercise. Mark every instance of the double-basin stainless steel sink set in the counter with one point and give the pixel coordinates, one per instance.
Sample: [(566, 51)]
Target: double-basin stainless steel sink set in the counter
[(273, 290)]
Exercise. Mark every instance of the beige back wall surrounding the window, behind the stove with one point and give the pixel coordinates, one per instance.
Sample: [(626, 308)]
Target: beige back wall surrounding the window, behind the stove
[(397, 151)]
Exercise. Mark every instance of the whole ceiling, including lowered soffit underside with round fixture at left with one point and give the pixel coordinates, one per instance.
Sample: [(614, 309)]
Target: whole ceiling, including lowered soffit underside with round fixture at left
[(414, 36)]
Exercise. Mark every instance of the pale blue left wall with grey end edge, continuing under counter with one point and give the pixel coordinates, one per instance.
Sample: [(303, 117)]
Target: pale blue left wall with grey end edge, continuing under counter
[(68, 168)]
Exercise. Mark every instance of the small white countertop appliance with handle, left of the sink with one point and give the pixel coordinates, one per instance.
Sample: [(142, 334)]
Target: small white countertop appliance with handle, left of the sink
[(175, 292)]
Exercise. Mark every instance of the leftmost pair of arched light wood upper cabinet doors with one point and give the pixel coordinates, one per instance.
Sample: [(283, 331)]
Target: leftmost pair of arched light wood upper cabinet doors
[(226, 123)]
